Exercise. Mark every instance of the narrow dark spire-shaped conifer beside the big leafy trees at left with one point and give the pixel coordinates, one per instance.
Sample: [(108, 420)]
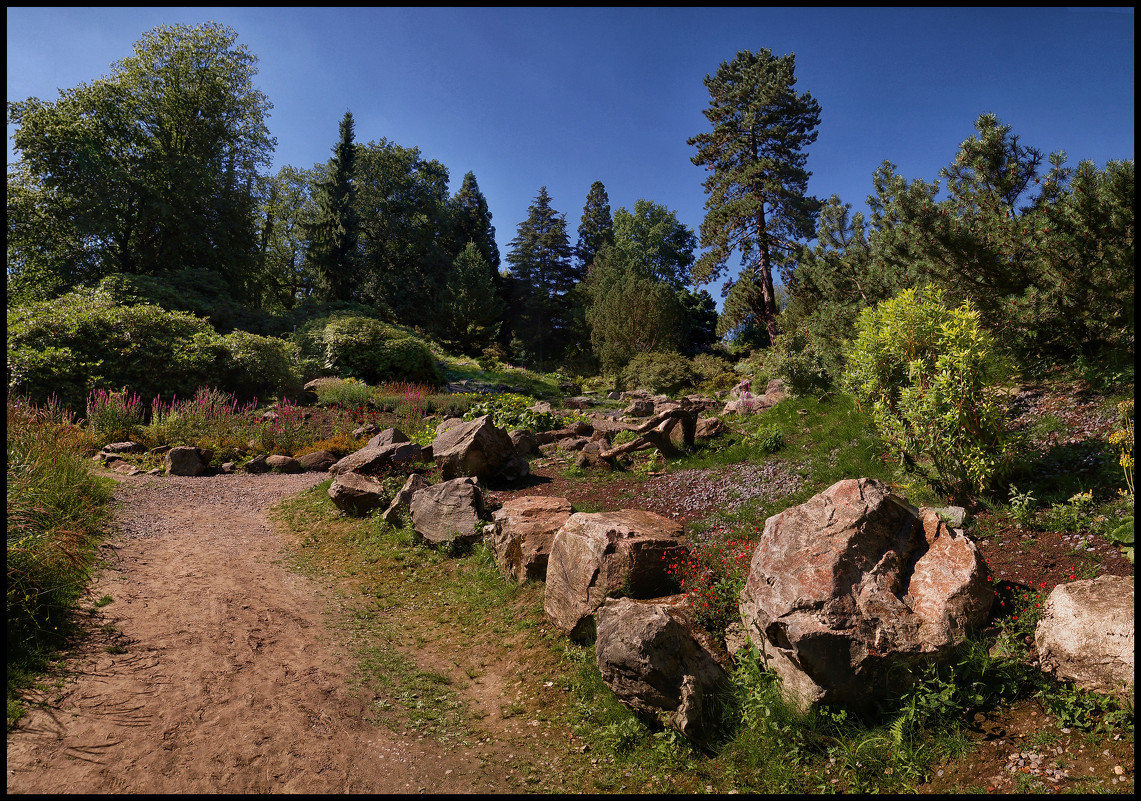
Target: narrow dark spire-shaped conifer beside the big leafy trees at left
[(333, 247)]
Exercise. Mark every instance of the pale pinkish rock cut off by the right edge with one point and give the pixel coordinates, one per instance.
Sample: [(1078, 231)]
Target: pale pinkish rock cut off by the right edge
[(1086, 635)]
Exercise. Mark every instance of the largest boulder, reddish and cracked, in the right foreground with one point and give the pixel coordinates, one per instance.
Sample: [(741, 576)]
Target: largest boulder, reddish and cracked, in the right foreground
[(856, 586)]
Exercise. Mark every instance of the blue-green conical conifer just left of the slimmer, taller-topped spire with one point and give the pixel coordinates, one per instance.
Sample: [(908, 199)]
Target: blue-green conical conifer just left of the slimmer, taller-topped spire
[(545, 279)]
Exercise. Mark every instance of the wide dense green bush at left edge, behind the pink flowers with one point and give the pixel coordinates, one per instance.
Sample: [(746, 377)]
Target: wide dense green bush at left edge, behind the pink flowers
[(85, 341)]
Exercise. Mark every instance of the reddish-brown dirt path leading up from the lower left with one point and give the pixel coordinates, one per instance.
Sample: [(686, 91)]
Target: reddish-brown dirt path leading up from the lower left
[(214, 669)]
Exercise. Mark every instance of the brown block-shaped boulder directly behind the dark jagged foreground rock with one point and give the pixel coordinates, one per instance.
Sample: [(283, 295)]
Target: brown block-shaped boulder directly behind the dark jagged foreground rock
[(596, 556)]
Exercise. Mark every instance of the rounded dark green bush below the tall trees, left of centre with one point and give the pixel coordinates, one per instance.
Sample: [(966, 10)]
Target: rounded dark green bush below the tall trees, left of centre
[(374, 352)]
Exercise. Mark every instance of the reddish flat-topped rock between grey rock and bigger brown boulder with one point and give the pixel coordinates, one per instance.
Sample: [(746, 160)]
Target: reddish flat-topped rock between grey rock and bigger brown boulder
[(523, 533)]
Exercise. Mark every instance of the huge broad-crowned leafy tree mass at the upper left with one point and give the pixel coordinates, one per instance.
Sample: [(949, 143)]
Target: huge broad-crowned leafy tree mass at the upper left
[(151, 169)]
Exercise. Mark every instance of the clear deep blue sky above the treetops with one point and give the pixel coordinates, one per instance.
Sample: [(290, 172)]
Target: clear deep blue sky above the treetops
[(565, 98)]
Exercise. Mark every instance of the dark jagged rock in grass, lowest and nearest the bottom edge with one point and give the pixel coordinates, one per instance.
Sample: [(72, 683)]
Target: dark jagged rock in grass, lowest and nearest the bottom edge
[(651, 656)]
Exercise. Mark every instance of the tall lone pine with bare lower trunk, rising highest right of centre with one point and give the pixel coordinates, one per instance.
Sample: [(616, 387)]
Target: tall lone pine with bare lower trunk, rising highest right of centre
[(756, 158)]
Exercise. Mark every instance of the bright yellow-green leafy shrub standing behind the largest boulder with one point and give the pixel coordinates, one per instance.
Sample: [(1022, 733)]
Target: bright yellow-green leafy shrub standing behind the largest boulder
[(925, 375)]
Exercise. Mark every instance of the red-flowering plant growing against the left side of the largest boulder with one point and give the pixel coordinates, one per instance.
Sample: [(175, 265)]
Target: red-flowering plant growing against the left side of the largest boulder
[(714, 575)]
